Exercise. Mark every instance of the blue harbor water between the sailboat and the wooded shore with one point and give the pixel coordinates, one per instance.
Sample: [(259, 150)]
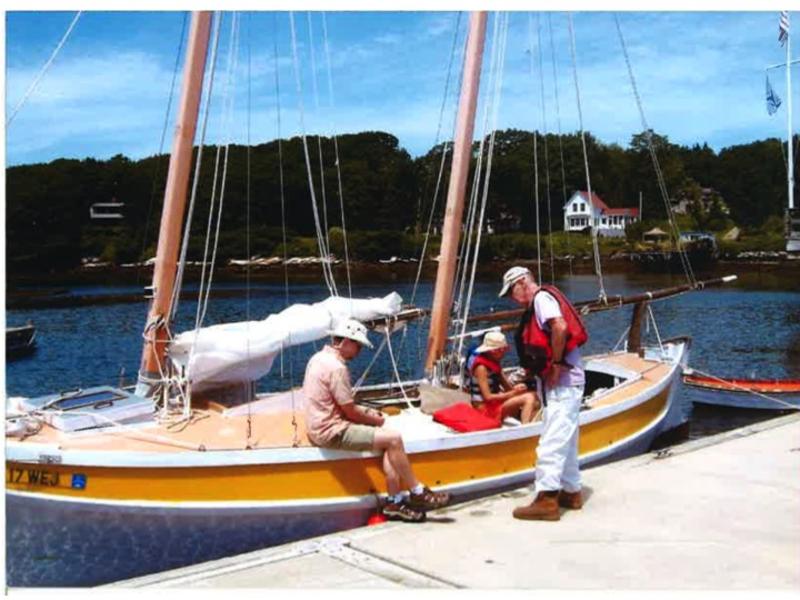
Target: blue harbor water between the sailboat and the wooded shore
[(748, 329)]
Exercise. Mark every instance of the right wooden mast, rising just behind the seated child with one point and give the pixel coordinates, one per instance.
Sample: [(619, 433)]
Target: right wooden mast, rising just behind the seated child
[(462, 151)]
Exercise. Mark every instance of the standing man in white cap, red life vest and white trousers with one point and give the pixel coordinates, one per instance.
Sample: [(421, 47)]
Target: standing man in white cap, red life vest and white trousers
[(547, 339)]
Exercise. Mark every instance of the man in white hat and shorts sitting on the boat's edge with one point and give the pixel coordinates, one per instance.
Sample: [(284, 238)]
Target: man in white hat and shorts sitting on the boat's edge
[(334, 420)]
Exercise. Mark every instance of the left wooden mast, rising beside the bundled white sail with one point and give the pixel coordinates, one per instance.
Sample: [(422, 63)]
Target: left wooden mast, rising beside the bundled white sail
[(155, 334)]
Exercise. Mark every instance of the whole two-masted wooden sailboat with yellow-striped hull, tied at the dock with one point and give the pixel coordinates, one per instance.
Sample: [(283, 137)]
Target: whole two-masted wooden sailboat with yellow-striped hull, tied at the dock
[(106, 489)]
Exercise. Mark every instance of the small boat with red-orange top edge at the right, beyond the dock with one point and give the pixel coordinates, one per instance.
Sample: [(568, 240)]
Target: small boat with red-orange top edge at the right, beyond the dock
[(770, 394)]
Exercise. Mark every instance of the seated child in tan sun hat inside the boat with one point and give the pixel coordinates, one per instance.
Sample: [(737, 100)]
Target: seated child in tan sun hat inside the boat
[(489, 388)]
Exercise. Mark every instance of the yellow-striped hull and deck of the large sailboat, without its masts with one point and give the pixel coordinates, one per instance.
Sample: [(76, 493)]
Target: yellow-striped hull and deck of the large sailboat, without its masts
[(154, 496)]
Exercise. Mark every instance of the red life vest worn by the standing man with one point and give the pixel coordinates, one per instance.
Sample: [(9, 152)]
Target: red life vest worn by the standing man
[(533, 343)]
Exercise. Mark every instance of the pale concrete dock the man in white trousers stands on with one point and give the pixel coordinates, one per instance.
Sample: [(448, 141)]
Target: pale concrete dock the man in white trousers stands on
[(718, 513)]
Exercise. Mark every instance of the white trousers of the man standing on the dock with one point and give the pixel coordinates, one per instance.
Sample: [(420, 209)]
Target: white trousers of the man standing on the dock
[(557, 454)]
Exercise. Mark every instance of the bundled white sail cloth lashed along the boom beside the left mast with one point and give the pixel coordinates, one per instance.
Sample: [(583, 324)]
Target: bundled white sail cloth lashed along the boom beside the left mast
[(237, 352)]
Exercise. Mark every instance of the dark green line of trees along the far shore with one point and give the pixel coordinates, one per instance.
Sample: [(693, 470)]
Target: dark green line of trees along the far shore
[(387, 194)]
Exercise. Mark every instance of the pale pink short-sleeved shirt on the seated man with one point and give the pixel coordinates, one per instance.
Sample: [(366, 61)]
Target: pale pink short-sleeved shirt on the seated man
[(326, 387)]
